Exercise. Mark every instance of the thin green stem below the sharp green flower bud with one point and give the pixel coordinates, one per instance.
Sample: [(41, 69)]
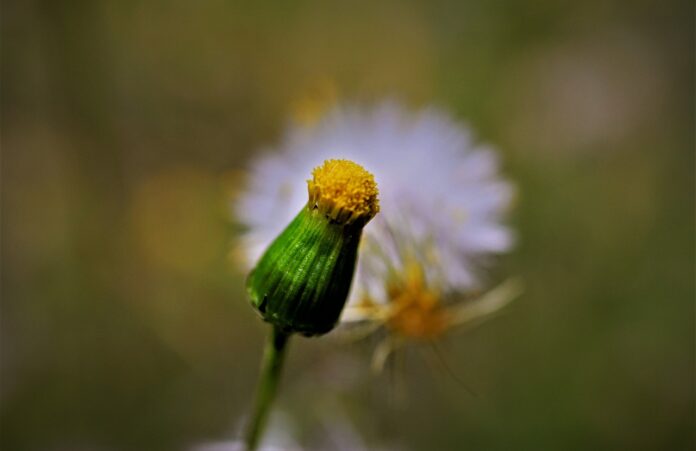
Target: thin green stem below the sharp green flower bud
[(271, 368)]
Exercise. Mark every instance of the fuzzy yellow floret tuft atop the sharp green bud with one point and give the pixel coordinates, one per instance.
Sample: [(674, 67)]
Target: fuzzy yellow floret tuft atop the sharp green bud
[(344, 191)]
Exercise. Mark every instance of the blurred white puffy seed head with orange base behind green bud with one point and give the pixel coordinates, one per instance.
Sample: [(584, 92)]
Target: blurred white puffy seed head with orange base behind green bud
[(443, 203)]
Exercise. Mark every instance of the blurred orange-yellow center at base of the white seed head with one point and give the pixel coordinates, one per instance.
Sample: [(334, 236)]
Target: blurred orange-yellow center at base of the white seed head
[(416, 308)]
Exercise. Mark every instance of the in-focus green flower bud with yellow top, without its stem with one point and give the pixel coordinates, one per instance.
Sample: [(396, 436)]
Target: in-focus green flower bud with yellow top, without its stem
[(302, 281)]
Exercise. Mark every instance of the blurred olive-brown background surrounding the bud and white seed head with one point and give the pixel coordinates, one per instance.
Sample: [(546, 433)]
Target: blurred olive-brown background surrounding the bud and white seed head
[(126, 125)]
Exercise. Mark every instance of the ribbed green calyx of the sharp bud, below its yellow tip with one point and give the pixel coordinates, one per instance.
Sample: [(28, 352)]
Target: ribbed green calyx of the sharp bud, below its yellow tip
[(302, 281)]
